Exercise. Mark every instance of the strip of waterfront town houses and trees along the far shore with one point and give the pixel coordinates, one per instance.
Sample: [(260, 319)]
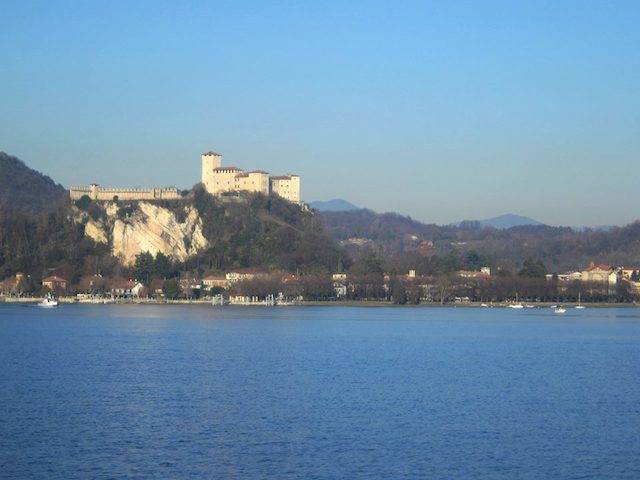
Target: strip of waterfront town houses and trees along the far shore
[(596, 283)]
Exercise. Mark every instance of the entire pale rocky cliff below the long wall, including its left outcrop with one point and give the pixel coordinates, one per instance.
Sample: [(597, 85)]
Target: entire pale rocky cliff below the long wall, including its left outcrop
[(145, 227)]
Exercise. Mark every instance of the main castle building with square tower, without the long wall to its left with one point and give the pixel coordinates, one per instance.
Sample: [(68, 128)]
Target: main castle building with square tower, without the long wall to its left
[(218, 179)]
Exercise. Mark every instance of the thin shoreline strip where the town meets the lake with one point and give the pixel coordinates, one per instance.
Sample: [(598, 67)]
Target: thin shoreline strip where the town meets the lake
[(312, 303)]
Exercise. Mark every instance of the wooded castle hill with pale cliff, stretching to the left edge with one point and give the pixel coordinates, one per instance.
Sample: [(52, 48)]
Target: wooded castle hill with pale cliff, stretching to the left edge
[(42, 232)]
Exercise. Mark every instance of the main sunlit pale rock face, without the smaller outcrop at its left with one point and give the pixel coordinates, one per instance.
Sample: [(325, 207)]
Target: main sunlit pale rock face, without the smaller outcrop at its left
[(155, 229)]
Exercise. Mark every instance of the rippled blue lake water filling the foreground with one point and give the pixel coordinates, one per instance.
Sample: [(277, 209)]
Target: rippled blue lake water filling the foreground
[(318, 393)]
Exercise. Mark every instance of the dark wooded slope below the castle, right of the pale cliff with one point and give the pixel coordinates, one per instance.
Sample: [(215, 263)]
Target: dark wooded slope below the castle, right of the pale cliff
[(253, 230)]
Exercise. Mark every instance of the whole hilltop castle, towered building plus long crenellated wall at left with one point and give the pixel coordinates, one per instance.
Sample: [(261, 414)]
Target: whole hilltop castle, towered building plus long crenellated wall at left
[(215, 178)]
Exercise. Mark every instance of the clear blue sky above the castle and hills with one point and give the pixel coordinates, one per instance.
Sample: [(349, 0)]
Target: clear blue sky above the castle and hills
[(439, 110)]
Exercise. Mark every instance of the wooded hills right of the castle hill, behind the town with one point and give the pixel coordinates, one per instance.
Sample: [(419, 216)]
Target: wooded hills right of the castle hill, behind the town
[(560, 248)]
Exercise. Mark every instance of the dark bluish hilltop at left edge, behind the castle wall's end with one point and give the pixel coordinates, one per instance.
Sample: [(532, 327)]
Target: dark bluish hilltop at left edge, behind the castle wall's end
[(24, 189)]
